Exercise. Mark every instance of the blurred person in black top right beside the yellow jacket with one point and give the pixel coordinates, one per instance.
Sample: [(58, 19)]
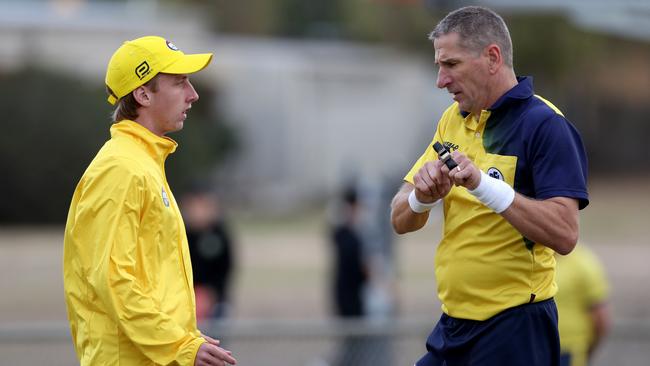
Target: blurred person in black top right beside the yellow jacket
[(210, 242)]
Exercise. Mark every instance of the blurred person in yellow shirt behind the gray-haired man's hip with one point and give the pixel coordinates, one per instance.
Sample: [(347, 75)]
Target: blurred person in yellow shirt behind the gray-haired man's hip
[(582, 305)]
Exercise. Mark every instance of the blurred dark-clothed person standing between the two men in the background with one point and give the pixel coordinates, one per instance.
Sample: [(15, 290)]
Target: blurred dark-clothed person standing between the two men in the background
[(350, 274)]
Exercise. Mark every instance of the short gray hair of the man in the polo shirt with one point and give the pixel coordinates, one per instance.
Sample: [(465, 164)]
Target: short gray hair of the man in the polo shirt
[(477, 27)]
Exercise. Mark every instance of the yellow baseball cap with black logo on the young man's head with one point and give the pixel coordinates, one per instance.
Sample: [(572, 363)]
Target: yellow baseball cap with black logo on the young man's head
[(139, 60)]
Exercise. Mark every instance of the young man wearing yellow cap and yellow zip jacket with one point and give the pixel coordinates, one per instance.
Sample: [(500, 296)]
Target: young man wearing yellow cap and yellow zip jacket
[(126, 266)]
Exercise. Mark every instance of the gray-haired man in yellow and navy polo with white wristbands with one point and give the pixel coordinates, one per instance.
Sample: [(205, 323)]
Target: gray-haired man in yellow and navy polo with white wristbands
[(511, 202)]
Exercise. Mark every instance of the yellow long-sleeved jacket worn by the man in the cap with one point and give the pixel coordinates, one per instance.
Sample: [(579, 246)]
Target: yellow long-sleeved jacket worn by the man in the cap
[(126, 264)]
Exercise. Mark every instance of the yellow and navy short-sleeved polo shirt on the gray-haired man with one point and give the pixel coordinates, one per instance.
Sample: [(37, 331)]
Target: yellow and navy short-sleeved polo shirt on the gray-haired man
[(483, 265)]
